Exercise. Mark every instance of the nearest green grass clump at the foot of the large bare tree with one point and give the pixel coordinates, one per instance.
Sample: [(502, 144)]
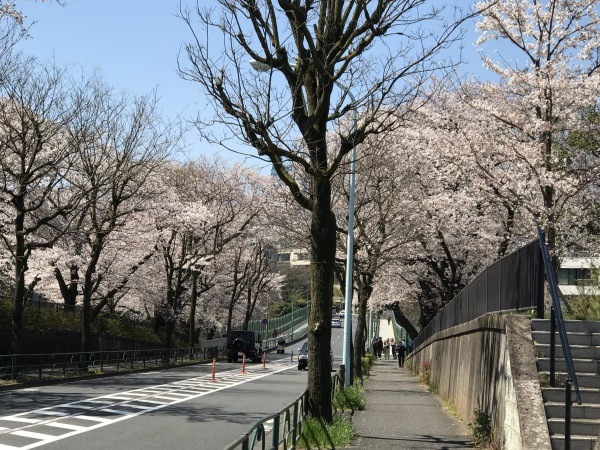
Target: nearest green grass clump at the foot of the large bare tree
[(316, 434)]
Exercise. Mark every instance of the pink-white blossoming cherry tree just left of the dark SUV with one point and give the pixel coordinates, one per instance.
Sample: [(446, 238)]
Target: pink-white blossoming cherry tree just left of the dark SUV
[(208, 207)]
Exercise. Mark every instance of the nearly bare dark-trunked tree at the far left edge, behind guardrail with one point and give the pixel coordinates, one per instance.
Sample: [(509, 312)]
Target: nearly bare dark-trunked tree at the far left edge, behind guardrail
[(36, 157)]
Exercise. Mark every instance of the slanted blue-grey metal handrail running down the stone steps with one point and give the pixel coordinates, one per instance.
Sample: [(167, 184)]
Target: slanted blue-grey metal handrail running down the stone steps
[(558, 317)]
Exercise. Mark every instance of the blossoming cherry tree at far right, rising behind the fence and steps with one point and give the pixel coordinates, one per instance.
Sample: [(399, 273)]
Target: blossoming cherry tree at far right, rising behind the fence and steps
[(548, 77)]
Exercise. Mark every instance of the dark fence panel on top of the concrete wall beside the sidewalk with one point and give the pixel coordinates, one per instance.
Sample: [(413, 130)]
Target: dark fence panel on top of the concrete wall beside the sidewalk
[(512, 283)]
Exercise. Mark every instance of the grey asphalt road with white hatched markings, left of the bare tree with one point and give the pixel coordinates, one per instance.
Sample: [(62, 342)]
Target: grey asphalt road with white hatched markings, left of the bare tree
[(172, 409)]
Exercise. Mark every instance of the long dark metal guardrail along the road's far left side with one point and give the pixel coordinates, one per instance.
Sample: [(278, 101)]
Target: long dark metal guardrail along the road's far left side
[(63, 365)]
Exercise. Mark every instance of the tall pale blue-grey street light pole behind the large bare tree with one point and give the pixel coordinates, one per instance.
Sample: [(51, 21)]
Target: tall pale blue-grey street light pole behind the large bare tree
[(262, 67)]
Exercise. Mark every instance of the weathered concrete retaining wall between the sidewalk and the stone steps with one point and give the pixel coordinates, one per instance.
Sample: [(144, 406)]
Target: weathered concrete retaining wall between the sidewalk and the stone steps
[(489, 364)]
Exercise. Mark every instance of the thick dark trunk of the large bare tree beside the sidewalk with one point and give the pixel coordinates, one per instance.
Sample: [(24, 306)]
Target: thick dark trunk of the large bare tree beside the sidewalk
[(323, 245)]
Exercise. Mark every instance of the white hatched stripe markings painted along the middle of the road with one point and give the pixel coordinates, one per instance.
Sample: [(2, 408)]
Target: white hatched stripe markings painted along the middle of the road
[(103, 411)]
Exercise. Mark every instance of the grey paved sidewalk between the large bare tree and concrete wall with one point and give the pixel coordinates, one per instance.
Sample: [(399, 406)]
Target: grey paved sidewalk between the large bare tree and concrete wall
[(402, 414)]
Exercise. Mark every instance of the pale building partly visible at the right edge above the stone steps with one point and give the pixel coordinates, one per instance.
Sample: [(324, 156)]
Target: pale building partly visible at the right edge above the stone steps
[(577, 276)]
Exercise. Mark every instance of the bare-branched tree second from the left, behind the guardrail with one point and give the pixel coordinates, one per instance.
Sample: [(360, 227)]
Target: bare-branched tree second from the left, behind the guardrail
[(121, 143)]
